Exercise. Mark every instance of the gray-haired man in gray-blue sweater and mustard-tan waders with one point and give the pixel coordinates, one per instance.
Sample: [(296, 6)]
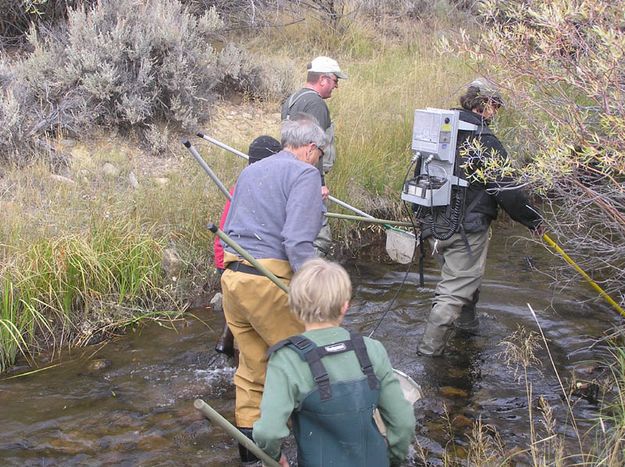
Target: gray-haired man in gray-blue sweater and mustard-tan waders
[(276, 213)]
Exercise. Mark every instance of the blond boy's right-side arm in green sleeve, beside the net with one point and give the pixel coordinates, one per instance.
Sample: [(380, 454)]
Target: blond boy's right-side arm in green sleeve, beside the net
[(396, 411)]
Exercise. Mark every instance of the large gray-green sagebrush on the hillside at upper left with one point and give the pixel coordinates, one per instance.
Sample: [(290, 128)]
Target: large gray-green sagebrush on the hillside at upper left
[(121, 64)]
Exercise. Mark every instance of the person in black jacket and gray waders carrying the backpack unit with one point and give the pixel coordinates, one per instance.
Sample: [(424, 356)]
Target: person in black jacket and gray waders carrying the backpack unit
[(463, 248)]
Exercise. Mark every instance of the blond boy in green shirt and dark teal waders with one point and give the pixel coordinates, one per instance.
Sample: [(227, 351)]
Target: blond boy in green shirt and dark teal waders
[(329, 382)]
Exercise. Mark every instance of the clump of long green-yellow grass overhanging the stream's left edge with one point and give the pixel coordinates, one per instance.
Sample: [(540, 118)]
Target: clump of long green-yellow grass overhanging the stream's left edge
[(46, 289)]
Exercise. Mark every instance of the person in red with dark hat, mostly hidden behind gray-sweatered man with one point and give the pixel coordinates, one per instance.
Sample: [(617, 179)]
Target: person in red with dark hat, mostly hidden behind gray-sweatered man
[(261, 147)]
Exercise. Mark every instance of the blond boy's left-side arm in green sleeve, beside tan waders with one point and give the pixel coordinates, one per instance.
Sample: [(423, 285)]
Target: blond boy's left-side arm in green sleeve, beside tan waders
[(276, 406)]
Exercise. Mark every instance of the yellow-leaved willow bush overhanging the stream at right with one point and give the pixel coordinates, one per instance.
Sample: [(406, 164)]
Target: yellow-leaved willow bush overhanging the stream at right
[(561, 63)]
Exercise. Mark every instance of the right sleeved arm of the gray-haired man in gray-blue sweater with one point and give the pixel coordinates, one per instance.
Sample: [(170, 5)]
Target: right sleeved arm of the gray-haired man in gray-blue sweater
[(304, 209)]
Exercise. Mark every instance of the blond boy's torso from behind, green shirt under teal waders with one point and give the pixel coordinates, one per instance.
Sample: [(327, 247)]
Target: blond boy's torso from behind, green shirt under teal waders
[(333, 423)]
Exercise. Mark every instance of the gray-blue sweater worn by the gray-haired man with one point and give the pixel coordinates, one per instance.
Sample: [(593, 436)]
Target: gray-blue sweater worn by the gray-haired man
[(276, 209)]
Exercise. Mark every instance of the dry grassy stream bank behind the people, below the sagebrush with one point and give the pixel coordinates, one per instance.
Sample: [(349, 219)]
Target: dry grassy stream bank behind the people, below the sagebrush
[(71, 238)]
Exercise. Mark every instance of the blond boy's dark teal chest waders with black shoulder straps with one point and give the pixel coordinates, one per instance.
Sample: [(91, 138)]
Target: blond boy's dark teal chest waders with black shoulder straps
[(334, 424)]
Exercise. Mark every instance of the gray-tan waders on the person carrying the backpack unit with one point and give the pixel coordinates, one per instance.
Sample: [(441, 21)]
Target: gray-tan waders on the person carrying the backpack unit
[(461, 276)]
